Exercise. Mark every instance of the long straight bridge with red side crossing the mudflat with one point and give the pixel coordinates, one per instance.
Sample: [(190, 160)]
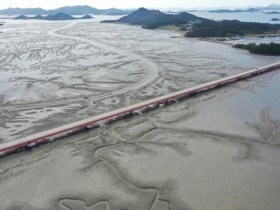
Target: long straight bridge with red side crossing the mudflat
[(96, 121)]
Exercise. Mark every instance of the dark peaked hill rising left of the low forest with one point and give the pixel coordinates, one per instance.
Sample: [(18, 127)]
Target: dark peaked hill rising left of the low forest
[(154, 18)]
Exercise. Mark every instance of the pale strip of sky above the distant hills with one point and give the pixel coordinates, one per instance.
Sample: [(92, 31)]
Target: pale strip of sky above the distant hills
[(48, 4)]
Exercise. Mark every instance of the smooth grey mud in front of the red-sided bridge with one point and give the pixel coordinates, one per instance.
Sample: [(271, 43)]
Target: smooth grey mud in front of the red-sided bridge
[(215, 151)]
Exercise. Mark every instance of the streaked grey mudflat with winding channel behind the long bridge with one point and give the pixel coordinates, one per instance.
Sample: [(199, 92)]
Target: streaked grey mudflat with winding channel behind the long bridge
[(53, 73)]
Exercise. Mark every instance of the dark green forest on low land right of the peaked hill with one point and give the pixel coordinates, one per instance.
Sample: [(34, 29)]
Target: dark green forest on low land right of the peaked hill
[(230, 28)]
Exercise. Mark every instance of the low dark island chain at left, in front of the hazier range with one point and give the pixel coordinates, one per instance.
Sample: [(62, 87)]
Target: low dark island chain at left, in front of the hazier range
[(58, 16)]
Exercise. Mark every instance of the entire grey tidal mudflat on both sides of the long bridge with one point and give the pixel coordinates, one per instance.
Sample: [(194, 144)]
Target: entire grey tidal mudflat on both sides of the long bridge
[(217, 150)]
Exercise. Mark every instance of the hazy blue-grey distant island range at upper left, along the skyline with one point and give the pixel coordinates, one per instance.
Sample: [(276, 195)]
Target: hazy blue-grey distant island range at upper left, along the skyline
[(71, 10)]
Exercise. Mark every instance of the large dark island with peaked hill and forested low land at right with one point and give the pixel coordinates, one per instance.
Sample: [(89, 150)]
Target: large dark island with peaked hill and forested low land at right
[(193, 26)]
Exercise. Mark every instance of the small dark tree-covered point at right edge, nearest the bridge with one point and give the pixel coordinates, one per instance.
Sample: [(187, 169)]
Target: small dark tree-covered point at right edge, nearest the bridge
[(263, 49)]
